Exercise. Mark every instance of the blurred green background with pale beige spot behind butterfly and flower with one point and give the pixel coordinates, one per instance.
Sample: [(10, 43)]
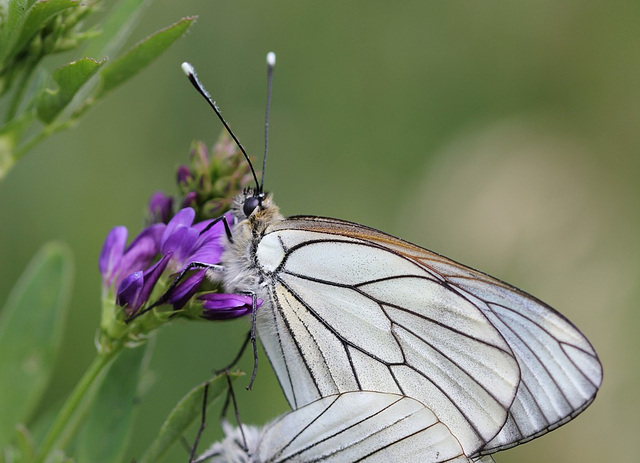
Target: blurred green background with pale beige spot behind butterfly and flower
[(502, 134)]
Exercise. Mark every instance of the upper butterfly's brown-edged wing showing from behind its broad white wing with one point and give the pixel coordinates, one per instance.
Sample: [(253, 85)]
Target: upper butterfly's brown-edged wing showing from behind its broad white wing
[(560, 370)]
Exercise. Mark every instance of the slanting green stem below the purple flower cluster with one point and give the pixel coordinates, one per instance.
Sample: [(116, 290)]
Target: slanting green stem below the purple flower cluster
[(70, 406)]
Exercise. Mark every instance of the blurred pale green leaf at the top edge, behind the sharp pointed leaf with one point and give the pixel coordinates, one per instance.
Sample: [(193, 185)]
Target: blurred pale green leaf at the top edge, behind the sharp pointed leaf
[(117, 28)]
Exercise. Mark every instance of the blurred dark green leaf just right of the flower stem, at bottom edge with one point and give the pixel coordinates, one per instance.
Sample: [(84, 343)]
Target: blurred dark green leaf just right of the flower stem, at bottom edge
[(105, 433)]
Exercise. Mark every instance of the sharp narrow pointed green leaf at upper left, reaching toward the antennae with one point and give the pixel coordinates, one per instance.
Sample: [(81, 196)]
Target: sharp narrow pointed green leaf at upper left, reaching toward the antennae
[(141, 55)]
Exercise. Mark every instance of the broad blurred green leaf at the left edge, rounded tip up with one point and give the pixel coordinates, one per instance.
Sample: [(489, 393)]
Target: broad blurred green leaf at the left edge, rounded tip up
[(31, 325)]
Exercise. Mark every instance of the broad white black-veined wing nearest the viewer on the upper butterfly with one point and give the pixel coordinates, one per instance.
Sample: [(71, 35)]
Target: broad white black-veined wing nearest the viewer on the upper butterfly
[(350, 315)]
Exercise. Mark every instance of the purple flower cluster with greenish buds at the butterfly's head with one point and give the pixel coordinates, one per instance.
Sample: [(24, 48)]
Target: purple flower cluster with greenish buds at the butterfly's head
[(167, 263)]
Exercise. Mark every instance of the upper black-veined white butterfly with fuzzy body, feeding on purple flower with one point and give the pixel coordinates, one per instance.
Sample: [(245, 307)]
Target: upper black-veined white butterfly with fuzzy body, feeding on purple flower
[(350, 308)]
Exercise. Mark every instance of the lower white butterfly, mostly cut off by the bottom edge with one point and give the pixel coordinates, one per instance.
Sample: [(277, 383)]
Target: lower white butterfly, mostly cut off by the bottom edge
[(355, 426)]
